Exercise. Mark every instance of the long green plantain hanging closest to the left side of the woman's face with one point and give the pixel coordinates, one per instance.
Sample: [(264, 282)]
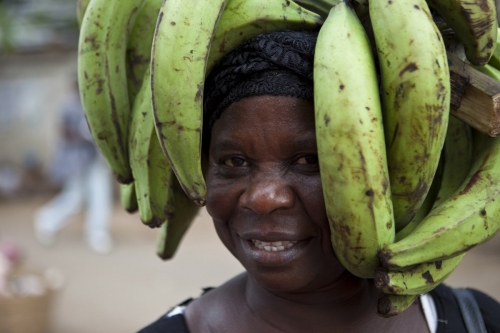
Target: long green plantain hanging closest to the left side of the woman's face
[(181, 45)]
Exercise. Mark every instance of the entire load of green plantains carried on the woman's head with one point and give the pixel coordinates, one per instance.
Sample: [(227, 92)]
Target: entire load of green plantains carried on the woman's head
[(408, 188)]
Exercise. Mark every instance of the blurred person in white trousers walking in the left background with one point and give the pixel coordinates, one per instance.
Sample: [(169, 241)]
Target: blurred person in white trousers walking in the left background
[(86, 183)]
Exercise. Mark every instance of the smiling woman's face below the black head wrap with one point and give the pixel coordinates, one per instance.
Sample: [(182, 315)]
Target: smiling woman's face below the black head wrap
[(265, 195)]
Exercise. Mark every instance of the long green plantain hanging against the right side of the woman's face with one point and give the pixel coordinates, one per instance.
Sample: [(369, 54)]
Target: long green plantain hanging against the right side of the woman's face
[(351, 146)]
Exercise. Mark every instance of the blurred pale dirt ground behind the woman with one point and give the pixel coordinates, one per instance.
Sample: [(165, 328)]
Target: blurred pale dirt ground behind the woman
[(131, 287)]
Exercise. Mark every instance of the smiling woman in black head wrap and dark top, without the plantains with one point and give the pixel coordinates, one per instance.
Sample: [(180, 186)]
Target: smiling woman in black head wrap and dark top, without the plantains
[(266, 200)]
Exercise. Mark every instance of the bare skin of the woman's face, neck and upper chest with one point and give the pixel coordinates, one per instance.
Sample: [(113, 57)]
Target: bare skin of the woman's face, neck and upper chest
[(264, 184)]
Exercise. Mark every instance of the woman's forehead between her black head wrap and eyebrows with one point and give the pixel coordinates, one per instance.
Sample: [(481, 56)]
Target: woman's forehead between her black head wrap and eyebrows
[(266, 116)]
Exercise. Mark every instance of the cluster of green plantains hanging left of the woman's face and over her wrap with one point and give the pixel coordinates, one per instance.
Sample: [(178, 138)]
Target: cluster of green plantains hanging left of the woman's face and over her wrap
[(151, 137)]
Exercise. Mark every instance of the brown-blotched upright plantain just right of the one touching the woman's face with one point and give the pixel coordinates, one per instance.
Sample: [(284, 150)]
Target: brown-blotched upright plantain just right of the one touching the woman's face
[(416, 98)]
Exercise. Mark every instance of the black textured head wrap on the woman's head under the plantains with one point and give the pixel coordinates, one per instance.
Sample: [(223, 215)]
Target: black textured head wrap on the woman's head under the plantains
[(275, 63)]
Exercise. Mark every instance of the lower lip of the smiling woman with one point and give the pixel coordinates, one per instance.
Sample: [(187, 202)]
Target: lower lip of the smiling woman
[(276, 258)]
